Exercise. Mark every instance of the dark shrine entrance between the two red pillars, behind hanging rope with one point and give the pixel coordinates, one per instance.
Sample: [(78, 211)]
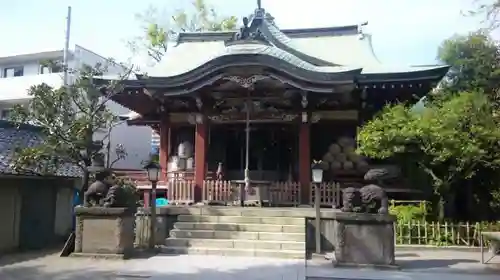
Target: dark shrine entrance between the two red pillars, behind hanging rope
[(272, 154)]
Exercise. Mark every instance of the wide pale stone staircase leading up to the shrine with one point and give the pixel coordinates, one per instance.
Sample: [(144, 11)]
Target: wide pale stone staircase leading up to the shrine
[(260, 232)]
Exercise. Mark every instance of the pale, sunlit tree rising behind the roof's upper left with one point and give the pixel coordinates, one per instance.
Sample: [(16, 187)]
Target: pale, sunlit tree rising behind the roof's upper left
[(202, 17)]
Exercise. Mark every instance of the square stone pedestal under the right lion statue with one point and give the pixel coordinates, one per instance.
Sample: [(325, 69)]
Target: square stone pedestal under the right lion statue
[(364, 240)]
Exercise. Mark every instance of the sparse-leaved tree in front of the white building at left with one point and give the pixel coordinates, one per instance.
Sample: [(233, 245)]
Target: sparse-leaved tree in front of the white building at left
[(71, 118)]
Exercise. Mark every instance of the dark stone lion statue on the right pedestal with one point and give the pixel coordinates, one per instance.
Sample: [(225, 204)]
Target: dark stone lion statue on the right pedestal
[(371, 198)]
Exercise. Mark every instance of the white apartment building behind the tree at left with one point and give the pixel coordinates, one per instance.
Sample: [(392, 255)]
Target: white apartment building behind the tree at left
[(18, 73)]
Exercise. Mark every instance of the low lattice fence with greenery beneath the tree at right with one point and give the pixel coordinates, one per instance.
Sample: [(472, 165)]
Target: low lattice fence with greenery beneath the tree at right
[(440, 234)]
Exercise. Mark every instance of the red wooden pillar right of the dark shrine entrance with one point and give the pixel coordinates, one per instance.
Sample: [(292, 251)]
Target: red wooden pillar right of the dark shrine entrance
[(304, 161)]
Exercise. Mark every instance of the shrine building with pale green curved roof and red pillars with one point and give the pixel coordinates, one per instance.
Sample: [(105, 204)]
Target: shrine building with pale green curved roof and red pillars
[(260, 104)]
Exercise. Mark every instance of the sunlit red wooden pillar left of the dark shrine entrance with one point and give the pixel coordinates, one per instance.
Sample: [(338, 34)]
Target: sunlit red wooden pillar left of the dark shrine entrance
[(200, 154)]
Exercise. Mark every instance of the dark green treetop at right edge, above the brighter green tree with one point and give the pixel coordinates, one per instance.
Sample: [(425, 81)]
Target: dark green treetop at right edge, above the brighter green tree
[(475, 63)]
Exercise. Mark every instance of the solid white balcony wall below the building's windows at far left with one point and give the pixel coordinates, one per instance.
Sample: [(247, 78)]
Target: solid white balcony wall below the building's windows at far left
[(16, 88)]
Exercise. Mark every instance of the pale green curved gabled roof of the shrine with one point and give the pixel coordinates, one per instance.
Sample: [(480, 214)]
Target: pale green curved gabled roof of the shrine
[(316, 51)]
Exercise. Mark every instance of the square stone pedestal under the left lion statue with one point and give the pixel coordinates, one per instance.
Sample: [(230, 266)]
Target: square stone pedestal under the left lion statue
[(104, 232)]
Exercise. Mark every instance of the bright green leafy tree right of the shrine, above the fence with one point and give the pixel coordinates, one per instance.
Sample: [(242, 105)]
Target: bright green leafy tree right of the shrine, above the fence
[(449, 140)]
